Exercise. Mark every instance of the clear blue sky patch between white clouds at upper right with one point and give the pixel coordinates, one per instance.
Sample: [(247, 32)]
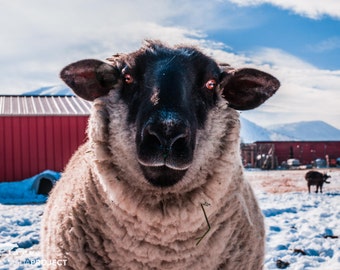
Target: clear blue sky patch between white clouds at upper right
[(316, 41)]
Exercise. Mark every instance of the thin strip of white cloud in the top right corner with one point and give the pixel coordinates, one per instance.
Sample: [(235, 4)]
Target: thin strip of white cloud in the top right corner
[(314, 9)]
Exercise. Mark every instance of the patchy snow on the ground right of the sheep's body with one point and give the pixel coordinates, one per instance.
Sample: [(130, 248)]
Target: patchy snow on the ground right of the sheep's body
[(302, 230)]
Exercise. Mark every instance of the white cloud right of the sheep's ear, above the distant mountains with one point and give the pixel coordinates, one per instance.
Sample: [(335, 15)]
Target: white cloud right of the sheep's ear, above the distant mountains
[(306, 93)]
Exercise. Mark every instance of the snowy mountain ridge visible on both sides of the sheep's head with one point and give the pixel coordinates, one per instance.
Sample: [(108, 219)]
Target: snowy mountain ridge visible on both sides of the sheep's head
[(250, 132)]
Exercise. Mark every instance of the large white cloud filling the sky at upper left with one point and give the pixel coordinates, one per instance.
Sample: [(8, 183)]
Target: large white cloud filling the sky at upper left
[(40, 37)]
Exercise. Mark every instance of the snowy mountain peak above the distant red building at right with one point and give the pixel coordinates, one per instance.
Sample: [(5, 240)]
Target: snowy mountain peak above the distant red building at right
[(308, 131)]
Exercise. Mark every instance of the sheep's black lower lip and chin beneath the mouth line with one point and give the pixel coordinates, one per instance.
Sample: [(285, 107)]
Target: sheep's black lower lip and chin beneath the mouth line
[(162, 176)]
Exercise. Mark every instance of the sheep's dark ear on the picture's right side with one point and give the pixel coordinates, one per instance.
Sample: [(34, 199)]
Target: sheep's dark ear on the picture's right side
[(247, 88)]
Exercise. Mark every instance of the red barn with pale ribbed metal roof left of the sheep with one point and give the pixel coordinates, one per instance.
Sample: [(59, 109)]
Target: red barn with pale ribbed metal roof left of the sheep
[(39, 133)]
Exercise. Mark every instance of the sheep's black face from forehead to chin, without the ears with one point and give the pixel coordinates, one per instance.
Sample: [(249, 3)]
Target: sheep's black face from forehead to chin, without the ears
[(168, 93)]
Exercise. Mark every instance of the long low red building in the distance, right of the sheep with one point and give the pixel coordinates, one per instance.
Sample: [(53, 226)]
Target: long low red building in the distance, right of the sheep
[(271, 154)]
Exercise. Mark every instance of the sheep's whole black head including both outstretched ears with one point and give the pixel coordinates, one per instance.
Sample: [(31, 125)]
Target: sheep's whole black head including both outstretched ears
[(168, 93)]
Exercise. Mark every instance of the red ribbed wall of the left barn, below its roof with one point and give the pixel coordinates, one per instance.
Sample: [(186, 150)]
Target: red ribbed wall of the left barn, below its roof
[(32, 144)]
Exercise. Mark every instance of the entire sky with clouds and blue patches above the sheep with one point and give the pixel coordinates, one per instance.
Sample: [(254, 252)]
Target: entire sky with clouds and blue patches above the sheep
[(296, 41)]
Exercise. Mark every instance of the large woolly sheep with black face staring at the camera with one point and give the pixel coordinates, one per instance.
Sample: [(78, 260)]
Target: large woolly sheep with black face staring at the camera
[(159, 184)]
